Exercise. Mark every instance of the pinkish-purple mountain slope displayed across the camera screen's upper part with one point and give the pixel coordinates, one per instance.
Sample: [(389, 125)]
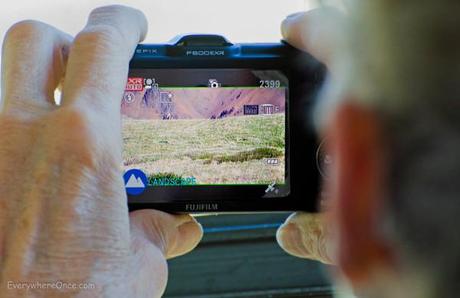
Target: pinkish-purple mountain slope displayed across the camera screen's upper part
[(199, 103)]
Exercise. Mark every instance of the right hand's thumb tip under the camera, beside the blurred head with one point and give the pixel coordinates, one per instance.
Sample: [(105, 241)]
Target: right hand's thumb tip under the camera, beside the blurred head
[(304, 235)]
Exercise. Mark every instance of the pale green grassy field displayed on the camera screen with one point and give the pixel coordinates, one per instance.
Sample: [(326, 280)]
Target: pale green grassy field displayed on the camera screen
[(213, 151)]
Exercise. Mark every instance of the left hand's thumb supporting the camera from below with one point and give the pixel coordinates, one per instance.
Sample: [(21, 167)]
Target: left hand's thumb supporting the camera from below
[(174, 235)]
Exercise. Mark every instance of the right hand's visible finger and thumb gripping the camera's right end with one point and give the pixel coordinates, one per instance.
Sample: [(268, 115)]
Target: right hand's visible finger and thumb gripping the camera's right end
[(306, 235)]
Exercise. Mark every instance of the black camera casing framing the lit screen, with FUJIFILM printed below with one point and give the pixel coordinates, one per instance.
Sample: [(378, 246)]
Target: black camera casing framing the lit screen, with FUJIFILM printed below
[(305, 76)]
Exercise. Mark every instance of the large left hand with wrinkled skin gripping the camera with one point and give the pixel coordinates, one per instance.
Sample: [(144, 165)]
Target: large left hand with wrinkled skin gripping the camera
[(63, 206)]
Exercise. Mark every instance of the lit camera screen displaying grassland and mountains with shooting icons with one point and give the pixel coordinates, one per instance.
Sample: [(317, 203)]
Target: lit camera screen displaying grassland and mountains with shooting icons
[(186, 127)]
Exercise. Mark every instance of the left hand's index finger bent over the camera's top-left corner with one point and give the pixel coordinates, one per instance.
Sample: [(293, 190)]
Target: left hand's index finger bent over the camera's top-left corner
[(99, 58)]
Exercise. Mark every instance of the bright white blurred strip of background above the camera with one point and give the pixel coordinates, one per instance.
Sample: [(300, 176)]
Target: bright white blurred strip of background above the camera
[(239, 20)]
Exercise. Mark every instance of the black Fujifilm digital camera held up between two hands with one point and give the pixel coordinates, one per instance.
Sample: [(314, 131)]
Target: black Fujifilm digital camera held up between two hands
[(210, 126)]
